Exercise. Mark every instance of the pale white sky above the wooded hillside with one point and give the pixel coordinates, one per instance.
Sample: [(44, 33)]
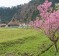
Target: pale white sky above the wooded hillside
[(10, 3)]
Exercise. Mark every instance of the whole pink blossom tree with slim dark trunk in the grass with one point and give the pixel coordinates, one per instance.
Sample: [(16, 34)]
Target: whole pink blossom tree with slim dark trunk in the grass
[(50, 22)]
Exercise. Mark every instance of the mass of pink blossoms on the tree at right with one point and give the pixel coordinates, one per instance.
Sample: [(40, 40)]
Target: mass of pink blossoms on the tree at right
[(51, 18)]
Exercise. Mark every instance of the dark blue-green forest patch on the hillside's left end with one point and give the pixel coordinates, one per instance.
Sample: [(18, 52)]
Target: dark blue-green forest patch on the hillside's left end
[(7, 13)]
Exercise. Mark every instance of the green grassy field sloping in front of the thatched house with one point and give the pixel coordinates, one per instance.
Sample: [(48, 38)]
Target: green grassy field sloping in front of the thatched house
[(24, 42)]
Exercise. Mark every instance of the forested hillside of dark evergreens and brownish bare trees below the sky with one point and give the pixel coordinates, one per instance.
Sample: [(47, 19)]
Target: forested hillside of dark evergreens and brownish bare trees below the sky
[(23, 13)]
